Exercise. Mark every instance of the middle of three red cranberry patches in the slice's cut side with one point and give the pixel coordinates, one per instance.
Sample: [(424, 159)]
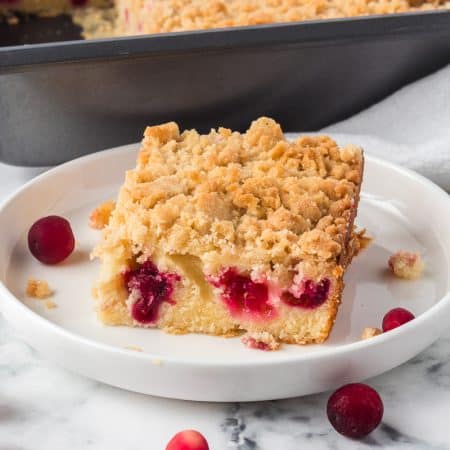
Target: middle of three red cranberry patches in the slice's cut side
[(244, 297)]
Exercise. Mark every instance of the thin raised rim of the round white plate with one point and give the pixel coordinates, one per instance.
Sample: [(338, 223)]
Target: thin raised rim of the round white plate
[(6, 295)]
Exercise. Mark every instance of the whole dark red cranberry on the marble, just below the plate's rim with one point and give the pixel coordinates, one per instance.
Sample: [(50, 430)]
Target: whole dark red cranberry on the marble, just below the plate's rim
[(355, 410)]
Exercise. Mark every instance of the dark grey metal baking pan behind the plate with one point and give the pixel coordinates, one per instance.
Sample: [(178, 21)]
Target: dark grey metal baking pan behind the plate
[(60, 100)]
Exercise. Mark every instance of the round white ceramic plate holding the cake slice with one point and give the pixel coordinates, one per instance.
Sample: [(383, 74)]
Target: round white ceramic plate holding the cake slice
[(400, 209)]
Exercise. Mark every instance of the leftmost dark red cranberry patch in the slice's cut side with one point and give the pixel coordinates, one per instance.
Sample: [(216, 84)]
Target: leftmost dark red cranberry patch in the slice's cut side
[(153, 288)]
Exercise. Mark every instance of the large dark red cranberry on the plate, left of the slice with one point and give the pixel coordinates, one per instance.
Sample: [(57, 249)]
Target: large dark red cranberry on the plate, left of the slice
[(51, 239)]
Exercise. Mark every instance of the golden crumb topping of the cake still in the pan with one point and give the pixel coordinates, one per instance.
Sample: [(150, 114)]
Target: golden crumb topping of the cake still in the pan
[(158, 16)]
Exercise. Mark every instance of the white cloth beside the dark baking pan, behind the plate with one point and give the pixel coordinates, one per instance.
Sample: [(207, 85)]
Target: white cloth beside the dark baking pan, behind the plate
[(410, 128)]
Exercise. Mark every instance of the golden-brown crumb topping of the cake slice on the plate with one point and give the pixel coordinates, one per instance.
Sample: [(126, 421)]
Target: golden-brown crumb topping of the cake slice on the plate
[(253, 198)]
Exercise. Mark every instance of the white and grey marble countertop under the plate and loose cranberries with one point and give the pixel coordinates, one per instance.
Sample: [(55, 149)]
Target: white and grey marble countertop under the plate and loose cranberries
[(43, 407)]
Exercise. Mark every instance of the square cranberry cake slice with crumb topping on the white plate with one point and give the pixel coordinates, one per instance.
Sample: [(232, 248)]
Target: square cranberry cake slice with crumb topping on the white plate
[(227, 232)]
